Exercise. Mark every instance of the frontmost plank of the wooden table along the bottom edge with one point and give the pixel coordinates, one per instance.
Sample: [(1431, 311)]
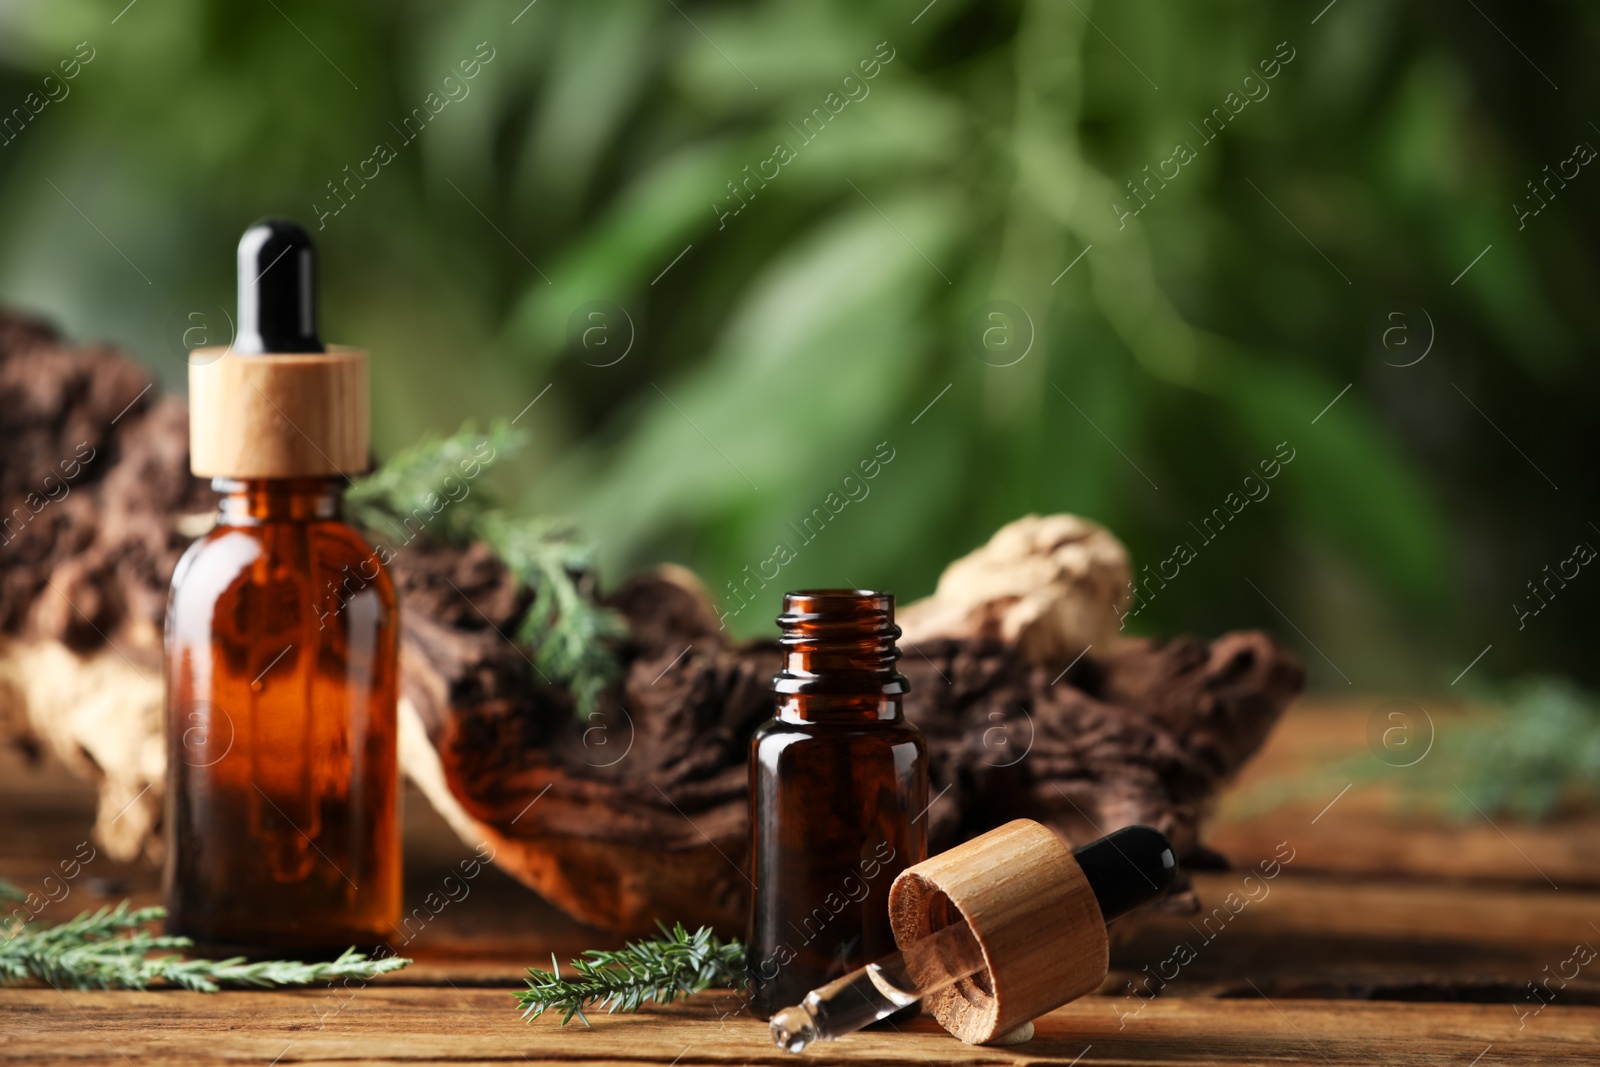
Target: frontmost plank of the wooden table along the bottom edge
[(473, 1026)]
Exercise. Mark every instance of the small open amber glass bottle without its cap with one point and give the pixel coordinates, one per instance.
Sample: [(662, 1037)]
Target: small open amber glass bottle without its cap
[(839, 793)]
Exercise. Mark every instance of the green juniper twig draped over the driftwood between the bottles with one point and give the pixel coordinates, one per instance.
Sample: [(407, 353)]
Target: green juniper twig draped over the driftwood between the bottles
[(430, 487)]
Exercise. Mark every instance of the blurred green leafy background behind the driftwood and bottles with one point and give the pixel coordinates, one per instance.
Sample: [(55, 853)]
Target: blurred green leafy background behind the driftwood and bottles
[(588, 166)]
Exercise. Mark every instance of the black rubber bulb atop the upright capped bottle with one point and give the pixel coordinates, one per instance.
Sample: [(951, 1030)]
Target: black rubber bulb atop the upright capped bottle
[(278, 290)]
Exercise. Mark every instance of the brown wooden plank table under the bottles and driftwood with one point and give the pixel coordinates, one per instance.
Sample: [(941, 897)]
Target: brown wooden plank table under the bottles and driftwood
[(1386, 940)]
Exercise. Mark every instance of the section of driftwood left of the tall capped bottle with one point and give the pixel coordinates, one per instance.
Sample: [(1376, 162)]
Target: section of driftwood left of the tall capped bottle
[(95, 495)]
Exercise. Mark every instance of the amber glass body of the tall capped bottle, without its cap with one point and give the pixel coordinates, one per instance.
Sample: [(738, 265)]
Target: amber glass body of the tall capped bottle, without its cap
[(281, 658)]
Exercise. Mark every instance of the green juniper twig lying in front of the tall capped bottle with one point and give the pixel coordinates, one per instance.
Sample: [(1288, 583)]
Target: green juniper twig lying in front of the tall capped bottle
[(111, 949)]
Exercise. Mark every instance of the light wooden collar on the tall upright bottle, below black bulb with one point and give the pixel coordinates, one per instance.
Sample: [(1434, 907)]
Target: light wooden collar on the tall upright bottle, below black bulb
[(278, 417)]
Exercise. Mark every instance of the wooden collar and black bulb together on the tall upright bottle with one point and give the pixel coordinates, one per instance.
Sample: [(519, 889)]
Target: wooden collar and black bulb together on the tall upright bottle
[(278, 404)]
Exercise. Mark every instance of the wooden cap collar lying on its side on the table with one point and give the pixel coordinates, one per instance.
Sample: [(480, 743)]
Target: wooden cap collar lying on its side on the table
[(1033, 913)]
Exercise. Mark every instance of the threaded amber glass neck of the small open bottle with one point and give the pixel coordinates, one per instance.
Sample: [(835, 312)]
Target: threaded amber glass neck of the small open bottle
[(839, 658)]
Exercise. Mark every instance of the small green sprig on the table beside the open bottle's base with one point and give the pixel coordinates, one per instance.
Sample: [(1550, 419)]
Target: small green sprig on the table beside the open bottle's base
[(657, 969)]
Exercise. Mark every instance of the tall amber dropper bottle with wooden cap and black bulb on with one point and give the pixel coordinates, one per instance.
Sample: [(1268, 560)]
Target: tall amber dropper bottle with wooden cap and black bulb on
[(281, 642)]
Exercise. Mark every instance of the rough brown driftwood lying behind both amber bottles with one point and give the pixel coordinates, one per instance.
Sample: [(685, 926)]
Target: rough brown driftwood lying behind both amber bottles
[(639, 812)]
